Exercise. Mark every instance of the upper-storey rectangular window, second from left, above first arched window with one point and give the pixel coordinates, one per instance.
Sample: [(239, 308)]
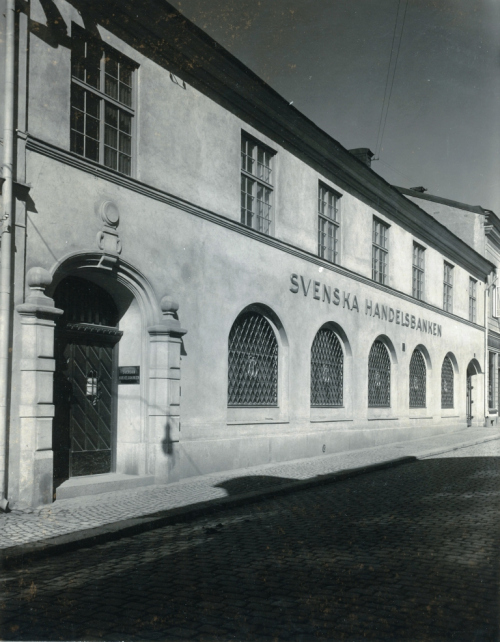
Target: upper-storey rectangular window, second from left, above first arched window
[(256, 185)]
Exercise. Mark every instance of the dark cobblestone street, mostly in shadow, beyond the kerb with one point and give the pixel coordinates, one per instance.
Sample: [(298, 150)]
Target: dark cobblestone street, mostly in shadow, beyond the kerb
[(410, 553)]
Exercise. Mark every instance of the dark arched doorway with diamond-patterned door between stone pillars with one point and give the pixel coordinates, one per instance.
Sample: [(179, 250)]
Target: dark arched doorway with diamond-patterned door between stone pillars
[(86, 344)]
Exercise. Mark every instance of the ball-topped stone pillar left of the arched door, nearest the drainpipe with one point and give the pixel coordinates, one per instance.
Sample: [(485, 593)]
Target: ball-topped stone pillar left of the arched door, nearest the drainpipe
[(36, 409)]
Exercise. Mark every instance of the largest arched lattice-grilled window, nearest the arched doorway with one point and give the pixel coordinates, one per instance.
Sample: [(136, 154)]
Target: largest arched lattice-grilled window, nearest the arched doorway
[(253, 362)]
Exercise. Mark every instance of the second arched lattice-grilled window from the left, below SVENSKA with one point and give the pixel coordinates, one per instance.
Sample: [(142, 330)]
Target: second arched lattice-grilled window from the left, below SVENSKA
[(327, 370)]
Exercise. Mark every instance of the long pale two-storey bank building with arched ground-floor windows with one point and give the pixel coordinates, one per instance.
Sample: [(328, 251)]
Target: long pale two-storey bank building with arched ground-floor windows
[(201, 279)]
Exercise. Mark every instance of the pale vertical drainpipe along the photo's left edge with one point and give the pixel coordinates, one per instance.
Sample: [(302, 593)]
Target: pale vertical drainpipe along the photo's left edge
[(6, 258)]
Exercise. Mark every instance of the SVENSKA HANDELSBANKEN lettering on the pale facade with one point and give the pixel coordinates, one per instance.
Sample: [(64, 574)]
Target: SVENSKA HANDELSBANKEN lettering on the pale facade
[(335, 296)]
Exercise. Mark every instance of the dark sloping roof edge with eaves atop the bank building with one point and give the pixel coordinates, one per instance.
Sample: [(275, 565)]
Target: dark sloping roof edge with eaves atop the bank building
[(174, 42)]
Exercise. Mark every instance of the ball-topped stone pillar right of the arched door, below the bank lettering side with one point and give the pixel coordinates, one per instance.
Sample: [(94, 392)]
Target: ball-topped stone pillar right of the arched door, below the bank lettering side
[(165, 341)]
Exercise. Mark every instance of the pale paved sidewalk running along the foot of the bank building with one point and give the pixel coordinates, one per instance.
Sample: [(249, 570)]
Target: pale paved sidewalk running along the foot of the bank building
[(20, 528)]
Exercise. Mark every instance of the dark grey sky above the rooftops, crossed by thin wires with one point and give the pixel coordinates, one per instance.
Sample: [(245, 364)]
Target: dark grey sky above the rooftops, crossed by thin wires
[(331, 57)]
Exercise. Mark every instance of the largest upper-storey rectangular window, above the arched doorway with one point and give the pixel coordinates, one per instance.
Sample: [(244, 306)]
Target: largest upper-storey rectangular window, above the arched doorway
[(101, 103)]
